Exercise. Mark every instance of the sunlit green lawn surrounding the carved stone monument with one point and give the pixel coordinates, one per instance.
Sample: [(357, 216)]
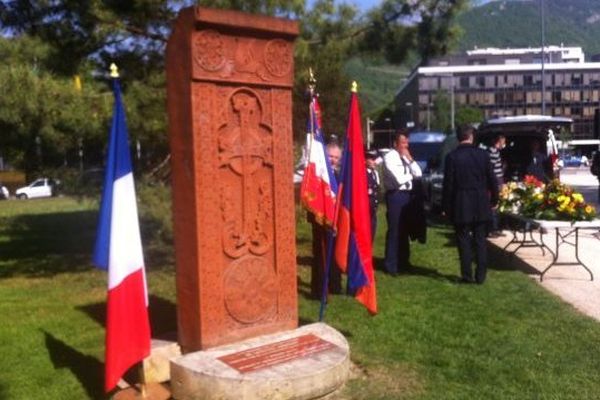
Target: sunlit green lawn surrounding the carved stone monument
[(433, 339)]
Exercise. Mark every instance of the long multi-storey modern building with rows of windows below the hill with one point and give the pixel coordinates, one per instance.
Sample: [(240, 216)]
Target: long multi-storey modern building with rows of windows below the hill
[(506, 82)]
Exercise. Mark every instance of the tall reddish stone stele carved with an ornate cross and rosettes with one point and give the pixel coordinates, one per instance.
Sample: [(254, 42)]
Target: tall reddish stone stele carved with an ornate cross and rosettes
[(229, 80)]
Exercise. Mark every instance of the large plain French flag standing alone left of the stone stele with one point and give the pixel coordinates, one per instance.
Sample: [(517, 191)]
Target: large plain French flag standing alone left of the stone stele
[(119, 250)]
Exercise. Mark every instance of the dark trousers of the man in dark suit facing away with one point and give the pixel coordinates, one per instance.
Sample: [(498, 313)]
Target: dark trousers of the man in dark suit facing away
[(471, 237)]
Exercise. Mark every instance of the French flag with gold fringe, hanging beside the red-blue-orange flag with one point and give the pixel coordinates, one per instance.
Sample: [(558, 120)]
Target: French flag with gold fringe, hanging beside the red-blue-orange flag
[(319, 186)]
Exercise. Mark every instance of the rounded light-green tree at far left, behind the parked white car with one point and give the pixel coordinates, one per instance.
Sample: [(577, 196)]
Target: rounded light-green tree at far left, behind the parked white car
[(42, 116)]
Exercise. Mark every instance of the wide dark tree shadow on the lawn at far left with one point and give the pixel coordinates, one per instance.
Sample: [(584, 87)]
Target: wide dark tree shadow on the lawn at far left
[(47, 244)]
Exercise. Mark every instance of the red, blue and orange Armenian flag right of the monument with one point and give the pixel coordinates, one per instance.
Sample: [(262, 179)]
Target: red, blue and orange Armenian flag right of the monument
[(353, 247)]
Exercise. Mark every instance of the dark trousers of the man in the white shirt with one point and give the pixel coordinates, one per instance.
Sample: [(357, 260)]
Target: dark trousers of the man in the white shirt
[(397, 247)]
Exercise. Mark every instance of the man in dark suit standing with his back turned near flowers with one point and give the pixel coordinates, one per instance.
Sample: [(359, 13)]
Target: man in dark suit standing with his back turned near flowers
[(470, 191)]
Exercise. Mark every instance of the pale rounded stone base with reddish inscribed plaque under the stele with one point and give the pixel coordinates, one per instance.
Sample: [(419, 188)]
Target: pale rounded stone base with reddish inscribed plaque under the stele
[(305, 363)]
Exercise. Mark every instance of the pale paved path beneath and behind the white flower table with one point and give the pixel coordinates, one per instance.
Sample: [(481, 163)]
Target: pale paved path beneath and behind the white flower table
[(572, 283)]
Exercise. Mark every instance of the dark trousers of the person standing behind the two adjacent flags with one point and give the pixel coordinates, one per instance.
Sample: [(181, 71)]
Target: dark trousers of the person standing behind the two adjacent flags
[(319, 264)]
